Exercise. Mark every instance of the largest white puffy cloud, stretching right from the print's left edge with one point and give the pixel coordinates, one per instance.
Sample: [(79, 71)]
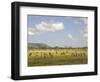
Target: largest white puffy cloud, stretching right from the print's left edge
[(43, 27)]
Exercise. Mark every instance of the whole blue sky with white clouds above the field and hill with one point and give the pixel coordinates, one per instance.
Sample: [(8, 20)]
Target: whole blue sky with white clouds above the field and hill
[(58, 30)]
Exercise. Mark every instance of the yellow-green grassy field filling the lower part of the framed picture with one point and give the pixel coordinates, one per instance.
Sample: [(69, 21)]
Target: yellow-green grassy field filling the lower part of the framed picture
[(54, 56)]
